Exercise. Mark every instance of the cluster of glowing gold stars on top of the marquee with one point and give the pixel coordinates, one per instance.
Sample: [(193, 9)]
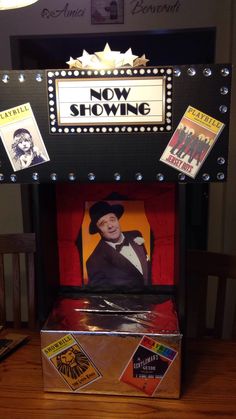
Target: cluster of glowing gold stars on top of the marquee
[(107, 59)]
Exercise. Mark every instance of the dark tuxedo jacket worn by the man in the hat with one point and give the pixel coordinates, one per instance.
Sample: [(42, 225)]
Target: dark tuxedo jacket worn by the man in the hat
[(108, 269)]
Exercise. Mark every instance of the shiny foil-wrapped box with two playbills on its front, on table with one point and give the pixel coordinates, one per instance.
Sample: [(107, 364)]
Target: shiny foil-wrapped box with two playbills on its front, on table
[(112, 344)]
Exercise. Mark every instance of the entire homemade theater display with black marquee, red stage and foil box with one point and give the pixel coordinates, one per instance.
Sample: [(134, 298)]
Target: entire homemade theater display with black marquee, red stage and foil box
[(128, 139)]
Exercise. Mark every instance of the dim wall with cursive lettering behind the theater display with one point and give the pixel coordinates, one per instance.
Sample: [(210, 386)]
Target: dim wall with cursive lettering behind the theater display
[(74, 17)]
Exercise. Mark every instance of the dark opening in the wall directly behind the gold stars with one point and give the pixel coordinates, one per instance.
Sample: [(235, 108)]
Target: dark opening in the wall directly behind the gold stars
[(161, 48)]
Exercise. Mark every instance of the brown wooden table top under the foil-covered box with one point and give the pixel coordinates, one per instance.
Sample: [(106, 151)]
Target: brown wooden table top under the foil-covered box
[(209, 389)]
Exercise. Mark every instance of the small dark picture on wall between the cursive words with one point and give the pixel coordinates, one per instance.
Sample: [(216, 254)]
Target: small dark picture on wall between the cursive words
[(107, 11)]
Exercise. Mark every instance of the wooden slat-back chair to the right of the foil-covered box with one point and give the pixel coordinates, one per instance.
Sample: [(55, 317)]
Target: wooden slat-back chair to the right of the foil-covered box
[(221, 267)]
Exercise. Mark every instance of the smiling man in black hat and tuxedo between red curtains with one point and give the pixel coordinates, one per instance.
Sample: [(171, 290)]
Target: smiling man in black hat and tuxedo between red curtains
[(120, 260)]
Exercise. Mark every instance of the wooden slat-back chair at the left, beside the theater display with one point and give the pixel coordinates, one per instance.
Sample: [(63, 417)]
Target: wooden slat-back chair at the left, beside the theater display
[(15, 245)]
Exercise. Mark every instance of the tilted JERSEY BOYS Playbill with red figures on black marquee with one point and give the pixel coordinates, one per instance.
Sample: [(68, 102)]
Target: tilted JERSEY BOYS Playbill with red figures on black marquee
[(192, 141)]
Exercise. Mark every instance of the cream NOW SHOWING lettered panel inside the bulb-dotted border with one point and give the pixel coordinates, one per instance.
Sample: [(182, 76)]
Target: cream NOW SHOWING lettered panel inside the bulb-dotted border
[(124, 101)]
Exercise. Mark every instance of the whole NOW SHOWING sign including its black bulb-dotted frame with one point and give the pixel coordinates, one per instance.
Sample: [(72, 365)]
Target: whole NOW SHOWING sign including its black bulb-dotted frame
[(110, 104)]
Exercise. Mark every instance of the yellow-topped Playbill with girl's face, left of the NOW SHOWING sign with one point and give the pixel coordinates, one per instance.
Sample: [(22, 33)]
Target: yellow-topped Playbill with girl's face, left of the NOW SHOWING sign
[(21, 137)]
